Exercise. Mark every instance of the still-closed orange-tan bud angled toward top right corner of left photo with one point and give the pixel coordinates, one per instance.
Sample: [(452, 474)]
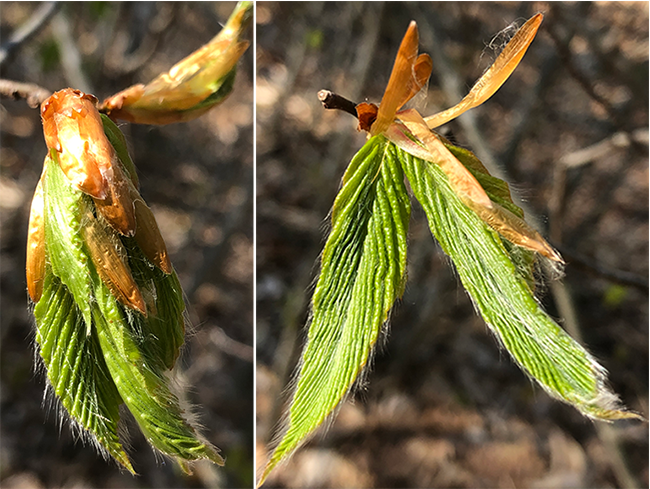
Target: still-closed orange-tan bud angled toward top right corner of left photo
[(192, 86)]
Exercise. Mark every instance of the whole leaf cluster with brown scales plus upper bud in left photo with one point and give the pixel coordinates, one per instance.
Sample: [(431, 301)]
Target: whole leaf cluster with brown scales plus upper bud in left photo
[(109, 306)]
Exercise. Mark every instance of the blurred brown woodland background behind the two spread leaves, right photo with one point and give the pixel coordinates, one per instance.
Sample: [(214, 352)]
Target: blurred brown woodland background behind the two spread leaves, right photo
[(444, 407)]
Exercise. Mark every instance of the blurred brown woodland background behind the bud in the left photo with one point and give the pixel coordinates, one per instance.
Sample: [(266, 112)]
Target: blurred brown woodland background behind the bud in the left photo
[(198, 179)]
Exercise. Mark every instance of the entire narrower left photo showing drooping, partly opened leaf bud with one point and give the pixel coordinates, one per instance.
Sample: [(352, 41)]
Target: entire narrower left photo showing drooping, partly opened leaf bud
[(126, 245)]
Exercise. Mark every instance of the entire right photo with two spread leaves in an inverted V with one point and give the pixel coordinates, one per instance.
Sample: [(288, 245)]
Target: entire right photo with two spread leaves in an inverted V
[(451, 245)]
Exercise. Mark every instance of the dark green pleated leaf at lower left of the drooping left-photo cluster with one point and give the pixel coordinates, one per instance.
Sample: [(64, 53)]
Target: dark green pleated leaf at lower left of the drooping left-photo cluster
[(76, 368)]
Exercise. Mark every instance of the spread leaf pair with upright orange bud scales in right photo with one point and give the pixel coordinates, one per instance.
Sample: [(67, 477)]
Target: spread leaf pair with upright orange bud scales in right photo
[(470, 213)]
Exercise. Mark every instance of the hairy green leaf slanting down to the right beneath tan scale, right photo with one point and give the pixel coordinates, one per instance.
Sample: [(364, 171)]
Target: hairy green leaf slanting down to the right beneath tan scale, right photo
[(500, 292)]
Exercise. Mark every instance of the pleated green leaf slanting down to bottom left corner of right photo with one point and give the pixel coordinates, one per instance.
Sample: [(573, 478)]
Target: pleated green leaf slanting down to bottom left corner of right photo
[(363, 270)]
